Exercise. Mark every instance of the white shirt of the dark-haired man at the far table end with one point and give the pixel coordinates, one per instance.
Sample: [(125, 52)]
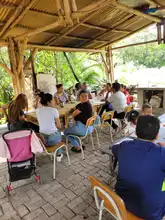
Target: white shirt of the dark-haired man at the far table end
[(118, 101)]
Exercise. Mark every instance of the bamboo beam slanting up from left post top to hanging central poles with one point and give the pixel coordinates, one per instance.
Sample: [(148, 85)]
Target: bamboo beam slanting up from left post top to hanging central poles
[(39, 30)]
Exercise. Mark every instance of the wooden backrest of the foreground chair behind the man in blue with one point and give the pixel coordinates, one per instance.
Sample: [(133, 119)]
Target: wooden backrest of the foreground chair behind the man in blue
[(112, 202)]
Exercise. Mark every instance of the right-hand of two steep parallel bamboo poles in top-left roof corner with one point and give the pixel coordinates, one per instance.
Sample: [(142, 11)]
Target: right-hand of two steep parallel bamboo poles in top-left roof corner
[(23, 13)]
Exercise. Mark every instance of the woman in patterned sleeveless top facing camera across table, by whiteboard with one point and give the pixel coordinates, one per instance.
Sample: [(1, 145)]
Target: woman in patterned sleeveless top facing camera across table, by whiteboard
[(60, 96)]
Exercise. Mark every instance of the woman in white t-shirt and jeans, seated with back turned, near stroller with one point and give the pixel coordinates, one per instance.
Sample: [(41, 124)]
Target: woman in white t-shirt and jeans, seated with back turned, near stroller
[(49, 122)]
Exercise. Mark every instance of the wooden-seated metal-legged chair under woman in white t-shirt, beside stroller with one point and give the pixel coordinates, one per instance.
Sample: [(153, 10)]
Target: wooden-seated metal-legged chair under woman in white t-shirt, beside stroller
[(52, 151)]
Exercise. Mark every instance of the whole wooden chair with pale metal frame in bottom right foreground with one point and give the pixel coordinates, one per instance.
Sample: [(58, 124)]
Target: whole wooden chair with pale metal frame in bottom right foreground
[(106, 199)]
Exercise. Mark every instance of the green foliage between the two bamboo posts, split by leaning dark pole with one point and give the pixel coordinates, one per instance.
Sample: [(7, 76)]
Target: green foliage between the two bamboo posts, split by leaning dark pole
[(87, 67)]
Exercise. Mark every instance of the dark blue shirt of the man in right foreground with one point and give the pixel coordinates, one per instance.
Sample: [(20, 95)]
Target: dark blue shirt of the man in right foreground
[(140, 178)]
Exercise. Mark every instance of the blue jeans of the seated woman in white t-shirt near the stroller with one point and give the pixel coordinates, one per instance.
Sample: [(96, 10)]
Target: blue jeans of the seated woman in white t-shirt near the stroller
[(53, 139)]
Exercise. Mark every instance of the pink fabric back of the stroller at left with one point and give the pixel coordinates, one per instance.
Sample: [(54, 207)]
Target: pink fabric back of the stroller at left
[(19, 145)]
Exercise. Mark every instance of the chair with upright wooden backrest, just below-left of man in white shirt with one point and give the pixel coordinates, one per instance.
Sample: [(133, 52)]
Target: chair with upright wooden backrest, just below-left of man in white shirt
[(107, 116)]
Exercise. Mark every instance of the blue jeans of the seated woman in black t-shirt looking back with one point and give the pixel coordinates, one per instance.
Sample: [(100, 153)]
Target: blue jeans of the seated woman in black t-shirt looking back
[(78, 129)]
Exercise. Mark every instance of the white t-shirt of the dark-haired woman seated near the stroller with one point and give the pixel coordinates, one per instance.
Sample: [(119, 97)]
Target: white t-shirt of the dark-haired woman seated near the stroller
[(46, 117)]
